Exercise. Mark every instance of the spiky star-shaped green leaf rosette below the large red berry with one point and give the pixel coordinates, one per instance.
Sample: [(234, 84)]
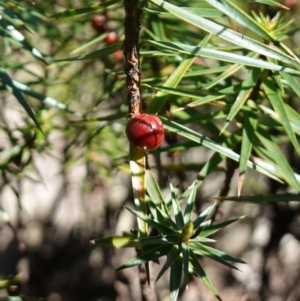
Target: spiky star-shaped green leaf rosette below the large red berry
[(181, 239)]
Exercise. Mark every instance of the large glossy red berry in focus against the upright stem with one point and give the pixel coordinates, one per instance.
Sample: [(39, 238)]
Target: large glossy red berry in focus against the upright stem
[(145, 131)]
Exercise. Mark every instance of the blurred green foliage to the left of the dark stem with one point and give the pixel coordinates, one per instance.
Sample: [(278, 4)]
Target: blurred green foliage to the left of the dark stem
[(32, 76)]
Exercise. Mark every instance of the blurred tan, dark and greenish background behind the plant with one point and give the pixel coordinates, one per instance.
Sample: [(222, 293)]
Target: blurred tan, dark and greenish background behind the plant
[(68, 185)]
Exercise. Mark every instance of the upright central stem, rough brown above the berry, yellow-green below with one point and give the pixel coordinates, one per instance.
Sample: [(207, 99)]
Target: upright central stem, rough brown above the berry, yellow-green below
[(137, 157)]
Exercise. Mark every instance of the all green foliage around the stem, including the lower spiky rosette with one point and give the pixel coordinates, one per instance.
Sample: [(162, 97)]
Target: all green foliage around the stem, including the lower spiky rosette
[(221, 78)]
